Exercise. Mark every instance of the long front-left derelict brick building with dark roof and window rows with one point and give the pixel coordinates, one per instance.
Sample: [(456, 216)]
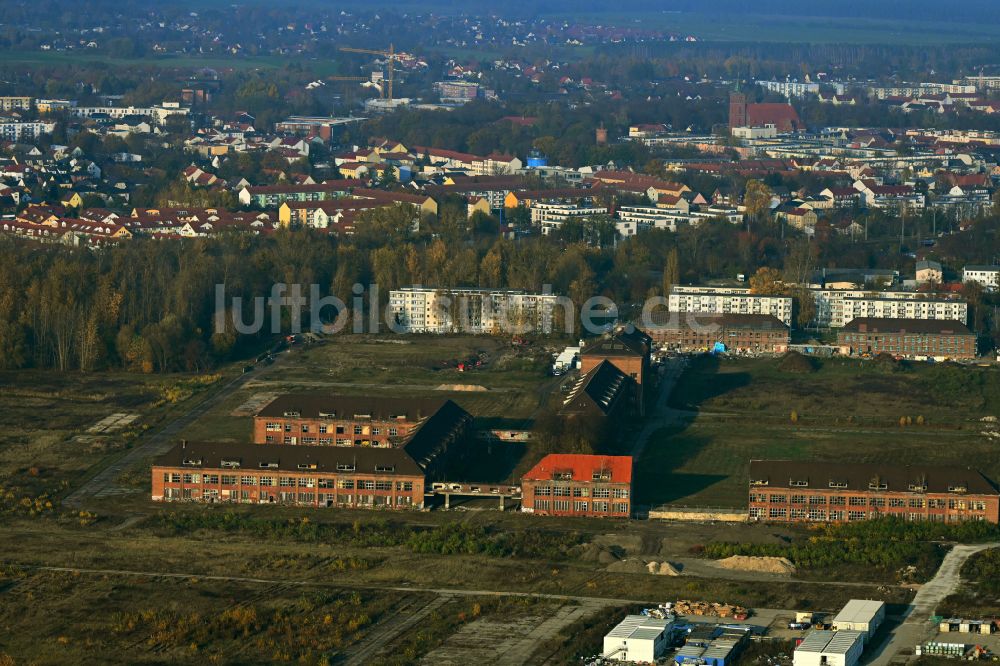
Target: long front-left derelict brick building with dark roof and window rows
[(312, 476)]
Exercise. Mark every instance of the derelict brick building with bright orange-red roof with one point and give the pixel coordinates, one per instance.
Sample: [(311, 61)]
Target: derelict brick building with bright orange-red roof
[(579, 485)]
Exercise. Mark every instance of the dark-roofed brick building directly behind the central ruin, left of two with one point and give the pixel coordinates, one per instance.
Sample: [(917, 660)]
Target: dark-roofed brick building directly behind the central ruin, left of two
[(699, 332)]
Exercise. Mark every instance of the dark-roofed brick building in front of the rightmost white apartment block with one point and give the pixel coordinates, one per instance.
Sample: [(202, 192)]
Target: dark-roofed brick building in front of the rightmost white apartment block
[(919, 339)]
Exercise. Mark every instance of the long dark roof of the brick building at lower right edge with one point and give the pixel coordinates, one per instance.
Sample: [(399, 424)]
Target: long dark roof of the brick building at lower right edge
[(859, 476)]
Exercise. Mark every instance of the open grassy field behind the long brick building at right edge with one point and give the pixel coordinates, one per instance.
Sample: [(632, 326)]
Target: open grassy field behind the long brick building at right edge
[(845, 411)]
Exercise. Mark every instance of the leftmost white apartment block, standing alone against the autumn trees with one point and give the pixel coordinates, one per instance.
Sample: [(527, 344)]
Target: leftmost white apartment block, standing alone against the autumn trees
[(426, 310)]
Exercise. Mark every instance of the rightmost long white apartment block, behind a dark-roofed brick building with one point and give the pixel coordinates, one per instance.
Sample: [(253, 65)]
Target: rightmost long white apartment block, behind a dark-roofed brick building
[(836, 307)]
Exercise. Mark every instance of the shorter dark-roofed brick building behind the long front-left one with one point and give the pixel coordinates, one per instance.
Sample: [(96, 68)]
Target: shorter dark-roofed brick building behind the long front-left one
[(315, 419)]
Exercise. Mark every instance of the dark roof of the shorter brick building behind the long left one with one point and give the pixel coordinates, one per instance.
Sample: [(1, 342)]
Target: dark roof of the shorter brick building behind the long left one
[(311, 405)]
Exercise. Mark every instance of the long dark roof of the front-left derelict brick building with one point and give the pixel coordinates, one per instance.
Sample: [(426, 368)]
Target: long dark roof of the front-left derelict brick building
[(288, 458)]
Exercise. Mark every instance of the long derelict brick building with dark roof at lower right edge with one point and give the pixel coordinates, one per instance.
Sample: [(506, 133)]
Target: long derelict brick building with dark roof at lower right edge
[(797, 491)]
